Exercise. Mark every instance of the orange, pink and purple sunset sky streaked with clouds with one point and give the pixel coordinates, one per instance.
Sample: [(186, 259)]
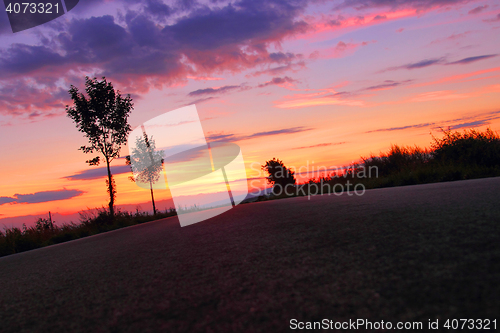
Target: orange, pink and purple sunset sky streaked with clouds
[(309, 82)]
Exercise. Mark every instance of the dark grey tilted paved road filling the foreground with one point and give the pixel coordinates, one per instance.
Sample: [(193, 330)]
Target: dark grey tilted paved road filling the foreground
[(410, 253)]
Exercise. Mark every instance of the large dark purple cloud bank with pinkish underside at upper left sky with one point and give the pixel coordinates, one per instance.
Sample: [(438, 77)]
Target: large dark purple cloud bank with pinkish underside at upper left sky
[(136, 52)]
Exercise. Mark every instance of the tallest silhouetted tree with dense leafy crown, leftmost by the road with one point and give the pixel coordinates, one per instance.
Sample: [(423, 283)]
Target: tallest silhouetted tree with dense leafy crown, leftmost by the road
[(103, 118)]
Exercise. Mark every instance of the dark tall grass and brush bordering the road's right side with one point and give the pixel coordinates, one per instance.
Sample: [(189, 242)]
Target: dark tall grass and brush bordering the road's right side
[(454, 156)]
